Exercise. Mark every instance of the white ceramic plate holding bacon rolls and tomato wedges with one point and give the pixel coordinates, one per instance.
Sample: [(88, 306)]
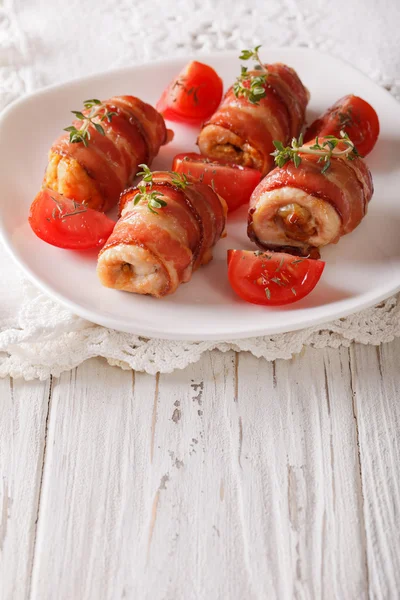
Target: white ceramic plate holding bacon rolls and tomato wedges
[(361, 270)]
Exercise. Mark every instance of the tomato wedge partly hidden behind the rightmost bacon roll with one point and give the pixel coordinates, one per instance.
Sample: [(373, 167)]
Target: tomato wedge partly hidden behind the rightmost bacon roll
[(354, 116)]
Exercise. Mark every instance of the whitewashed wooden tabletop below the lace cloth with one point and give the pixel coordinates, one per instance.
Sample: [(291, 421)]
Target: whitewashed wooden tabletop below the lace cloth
[(233, 479)]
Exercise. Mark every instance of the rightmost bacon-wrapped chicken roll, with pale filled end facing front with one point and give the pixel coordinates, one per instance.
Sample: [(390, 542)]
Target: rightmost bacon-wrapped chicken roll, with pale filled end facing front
[(299, 209)]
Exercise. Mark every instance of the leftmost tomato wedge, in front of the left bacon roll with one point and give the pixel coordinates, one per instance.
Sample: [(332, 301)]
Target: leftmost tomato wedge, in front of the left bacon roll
[(68, 224)]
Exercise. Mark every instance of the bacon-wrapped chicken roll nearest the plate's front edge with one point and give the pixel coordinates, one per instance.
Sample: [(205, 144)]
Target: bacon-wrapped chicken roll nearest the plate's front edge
[(167, 229)]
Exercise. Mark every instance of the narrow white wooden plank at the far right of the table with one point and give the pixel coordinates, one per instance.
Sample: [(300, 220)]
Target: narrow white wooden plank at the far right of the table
[(376, 386)]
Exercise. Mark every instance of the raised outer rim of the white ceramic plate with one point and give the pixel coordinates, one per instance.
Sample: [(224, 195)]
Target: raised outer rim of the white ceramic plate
[(360, 303)]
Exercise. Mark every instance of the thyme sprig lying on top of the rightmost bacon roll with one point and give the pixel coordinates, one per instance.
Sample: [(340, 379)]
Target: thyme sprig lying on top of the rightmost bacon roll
[(325, 150)]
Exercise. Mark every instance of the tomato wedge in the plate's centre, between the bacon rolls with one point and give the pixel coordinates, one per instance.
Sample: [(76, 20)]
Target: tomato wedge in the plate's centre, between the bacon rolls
[(233, 183)]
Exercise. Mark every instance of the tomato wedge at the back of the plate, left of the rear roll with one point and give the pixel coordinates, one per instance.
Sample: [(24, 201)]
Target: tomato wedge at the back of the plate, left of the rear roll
[(193, 96)]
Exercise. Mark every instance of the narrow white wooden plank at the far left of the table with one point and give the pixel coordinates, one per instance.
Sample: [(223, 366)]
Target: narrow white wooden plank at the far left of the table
[(23, 413)]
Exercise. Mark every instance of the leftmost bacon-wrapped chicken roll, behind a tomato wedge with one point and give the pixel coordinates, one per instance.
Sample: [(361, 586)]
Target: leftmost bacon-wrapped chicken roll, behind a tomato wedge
[(122, 133)]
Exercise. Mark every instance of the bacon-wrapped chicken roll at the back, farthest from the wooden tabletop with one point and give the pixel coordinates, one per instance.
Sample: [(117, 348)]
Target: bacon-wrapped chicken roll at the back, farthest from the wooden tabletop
[(242, 132)]
